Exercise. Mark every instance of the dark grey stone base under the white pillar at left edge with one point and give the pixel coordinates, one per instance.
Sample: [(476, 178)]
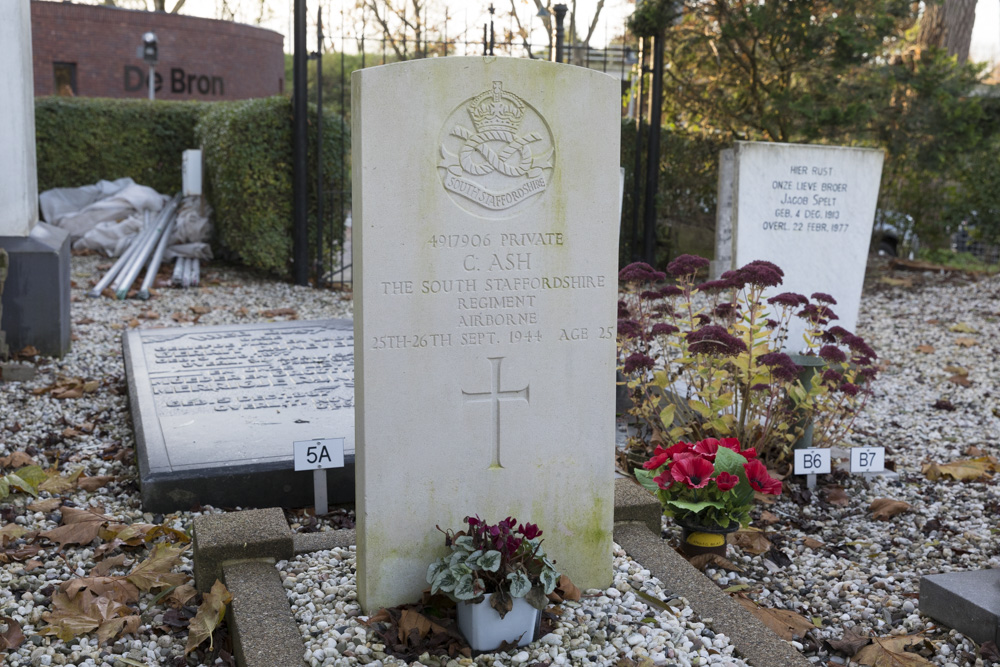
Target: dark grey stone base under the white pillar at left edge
[(36, 292)]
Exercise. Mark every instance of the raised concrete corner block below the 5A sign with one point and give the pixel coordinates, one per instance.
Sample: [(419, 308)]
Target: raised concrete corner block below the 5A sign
[(261, 535)]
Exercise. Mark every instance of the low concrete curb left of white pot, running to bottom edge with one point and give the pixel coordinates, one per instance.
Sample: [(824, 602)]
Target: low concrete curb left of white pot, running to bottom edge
[(260, 619)]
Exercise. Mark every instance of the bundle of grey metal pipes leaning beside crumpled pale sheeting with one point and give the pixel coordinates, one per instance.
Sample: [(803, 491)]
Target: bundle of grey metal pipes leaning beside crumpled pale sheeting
[(148, 245)]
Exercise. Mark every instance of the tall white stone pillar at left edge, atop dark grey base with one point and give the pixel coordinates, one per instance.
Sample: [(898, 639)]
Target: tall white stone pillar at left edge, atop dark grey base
[(18, 178)]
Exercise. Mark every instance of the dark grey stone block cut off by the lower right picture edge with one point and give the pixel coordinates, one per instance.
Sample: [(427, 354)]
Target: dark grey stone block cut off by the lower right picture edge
[(965, 601)]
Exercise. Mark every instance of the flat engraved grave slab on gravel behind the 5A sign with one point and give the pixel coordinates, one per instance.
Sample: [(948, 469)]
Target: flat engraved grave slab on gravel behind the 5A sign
[(217, 408)]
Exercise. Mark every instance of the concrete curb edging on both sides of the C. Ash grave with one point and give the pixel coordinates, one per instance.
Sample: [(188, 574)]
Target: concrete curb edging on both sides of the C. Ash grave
[(241, 548)]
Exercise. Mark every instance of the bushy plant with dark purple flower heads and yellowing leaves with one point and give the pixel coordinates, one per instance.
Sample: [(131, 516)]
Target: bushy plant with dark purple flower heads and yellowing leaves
[(706, 361)]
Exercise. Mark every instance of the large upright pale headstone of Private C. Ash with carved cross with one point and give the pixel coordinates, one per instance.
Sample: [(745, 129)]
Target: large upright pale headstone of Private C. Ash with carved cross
[(486, 221)]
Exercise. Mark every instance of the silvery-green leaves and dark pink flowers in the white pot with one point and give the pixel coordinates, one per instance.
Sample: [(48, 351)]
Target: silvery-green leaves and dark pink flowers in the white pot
[(505, 560)]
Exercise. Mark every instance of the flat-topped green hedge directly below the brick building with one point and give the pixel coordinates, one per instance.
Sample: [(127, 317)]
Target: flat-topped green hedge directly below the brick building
[(80, 141)]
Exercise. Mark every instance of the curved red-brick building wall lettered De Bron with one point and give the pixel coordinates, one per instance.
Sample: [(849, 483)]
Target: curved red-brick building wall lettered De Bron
[(199, 59)]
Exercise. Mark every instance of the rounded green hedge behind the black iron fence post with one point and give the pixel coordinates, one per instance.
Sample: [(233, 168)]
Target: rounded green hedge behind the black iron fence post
[(248, 158)]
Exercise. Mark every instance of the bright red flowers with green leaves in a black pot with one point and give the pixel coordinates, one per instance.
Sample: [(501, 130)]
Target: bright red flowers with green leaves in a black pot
[(708, 488)]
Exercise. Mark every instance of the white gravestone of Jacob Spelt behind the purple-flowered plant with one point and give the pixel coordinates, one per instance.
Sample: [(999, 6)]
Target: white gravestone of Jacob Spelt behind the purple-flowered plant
[(808, 209)]
